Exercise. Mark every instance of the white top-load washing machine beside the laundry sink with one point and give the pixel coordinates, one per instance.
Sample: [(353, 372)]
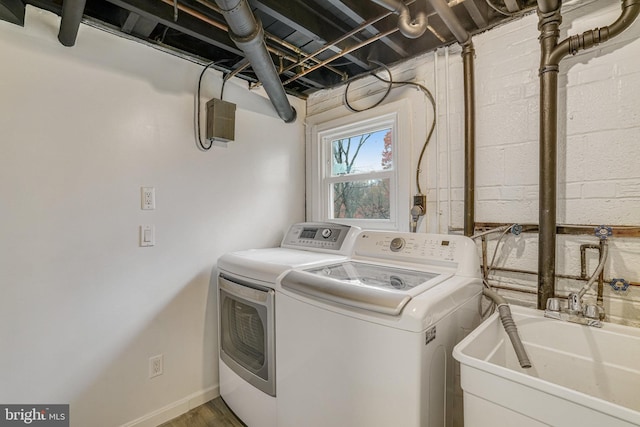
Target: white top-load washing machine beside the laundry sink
[(367, 342)]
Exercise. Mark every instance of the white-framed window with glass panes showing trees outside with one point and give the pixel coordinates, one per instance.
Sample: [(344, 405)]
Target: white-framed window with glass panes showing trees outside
[(356, 164)]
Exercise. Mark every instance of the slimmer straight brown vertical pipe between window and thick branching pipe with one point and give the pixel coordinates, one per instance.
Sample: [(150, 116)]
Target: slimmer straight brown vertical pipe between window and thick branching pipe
[(469, 139)]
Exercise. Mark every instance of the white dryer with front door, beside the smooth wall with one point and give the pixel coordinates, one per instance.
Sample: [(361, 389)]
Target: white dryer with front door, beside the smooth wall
[(246, 307)]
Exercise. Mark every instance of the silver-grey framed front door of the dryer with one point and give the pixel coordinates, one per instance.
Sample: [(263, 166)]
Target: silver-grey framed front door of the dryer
[(247, 332)]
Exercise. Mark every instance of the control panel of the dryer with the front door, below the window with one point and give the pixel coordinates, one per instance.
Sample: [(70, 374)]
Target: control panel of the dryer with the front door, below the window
[(323, 236)]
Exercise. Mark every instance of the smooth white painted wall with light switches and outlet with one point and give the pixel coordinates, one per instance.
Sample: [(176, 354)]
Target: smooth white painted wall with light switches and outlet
[(82, 307)]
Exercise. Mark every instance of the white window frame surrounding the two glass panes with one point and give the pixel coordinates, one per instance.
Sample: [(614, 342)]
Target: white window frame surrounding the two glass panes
[(395, 115)]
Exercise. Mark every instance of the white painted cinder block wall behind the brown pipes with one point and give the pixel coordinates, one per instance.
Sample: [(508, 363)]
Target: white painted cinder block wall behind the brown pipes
[(599, 149)]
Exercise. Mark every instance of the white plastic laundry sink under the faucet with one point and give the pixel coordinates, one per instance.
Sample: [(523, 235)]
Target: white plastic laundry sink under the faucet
[(581, 375)]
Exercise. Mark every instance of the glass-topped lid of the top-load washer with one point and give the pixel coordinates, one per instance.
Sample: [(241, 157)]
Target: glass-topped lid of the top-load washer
[(372, 287)]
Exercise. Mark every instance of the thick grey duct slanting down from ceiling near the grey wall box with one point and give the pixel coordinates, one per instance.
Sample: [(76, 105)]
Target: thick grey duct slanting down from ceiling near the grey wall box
[(247, 33)]
